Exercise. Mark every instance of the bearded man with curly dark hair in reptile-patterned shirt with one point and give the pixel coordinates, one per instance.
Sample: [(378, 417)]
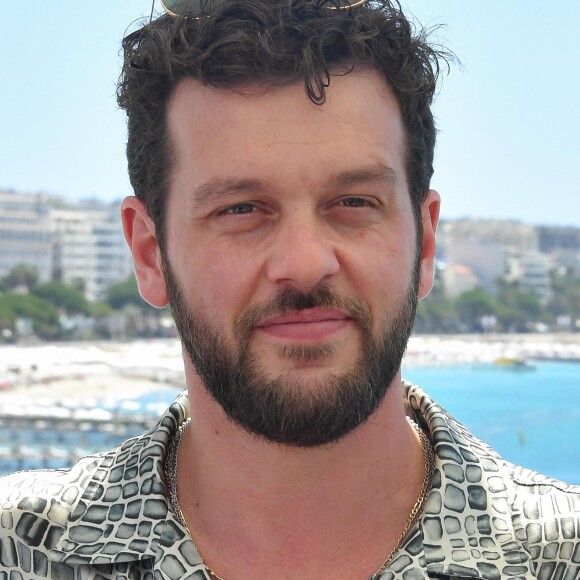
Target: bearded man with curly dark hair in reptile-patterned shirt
[(281, 153)]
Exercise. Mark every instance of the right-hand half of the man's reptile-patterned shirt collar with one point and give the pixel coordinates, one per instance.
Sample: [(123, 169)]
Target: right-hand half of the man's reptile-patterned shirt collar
[(466, 526)]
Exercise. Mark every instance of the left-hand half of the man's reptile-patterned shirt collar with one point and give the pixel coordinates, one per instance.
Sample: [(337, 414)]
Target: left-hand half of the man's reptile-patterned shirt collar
[(123, 514)]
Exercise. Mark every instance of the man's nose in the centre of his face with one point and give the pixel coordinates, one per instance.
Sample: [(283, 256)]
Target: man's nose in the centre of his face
[(302, 254)]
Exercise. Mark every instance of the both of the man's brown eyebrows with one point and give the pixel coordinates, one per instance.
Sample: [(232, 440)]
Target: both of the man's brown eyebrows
[(217, 188)]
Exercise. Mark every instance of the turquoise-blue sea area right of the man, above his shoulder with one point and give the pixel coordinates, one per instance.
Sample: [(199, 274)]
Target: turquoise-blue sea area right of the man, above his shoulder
[(531, 416)]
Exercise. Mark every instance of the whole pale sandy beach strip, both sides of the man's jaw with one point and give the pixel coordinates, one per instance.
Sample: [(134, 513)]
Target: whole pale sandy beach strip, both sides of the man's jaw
[(97, 371)]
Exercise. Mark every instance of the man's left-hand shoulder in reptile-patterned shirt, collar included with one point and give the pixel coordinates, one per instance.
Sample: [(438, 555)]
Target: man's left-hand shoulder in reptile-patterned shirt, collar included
[(108, 509)]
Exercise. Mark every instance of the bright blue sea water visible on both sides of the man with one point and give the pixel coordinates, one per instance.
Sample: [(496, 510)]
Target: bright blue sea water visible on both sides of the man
[(531, 416)]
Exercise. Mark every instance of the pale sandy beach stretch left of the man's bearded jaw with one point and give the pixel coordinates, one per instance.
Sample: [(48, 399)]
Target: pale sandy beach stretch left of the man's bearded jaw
[(87, 373)]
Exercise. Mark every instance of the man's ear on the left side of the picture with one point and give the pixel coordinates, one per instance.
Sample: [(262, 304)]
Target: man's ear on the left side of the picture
[(139, 232)]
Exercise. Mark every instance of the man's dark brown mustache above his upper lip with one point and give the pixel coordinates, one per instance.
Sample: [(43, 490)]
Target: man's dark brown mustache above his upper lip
[(291, 300)]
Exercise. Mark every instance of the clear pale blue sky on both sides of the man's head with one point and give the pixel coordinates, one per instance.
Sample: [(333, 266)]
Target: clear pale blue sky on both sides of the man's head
[(508, 115)]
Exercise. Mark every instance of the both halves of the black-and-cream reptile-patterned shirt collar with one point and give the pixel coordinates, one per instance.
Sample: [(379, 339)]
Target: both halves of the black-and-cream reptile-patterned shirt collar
[(466, 526)]
